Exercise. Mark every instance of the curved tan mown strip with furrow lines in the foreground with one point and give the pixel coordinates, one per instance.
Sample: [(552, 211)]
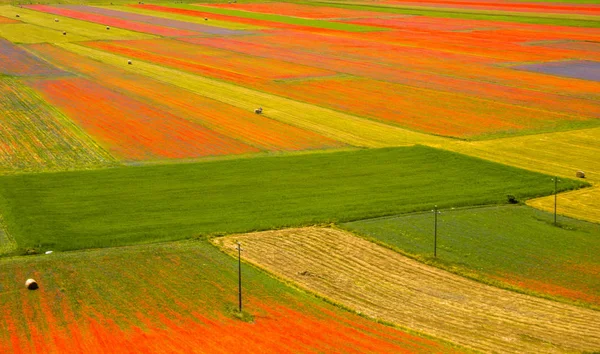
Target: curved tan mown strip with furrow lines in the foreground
[(383, 284)]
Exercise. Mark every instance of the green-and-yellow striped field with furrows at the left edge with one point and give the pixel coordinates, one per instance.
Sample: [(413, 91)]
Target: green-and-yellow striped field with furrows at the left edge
[(36, 136)]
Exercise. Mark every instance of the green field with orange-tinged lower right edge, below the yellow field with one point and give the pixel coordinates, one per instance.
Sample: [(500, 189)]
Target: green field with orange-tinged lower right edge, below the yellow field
[(516, 245)]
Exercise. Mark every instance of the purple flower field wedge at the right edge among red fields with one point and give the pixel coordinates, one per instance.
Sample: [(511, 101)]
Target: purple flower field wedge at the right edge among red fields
[(579, 69)]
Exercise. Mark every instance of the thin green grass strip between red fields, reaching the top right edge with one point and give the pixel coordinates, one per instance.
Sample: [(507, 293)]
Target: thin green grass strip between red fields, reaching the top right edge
[(537, 18)]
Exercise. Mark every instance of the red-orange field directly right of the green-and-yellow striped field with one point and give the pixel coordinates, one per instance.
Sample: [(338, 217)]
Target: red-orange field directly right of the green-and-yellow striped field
[(131, 129)]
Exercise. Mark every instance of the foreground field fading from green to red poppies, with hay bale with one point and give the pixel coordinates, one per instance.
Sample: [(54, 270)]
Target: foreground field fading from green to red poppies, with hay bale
[(174, 297)]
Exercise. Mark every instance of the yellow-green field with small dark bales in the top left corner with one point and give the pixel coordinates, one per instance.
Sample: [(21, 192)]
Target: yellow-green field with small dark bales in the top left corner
[(47, 30)]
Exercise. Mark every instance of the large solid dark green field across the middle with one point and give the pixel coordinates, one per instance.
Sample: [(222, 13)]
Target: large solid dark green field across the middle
[(120, 206)]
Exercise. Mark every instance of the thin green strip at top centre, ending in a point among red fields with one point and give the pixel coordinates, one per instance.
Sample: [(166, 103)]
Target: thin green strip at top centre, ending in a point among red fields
[(280, 18)]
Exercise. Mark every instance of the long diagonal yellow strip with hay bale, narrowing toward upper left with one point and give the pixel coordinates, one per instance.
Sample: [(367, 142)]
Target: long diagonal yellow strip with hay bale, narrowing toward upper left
[(336, 125)]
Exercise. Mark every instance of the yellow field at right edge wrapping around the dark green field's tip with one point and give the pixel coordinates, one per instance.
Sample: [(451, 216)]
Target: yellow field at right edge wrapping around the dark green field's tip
[(561, 154)]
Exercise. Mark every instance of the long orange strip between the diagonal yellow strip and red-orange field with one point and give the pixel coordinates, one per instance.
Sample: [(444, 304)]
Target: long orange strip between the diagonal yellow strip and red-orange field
[(246, 126)]
